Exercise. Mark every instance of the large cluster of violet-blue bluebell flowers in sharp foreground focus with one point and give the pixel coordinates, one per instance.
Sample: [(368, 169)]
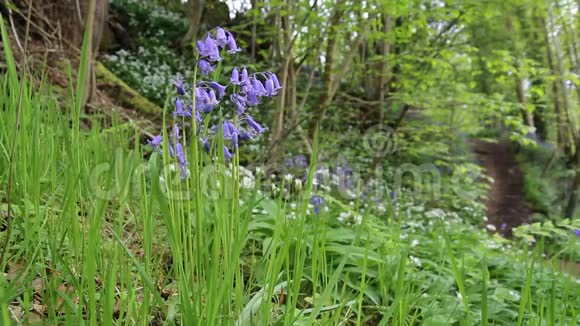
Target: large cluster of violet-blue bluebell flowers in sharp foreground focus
[(197, 102)]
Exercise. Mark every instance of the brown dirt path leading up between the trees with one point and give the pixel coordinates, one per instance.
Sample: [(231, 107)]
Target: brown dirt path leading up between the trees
[(506, 205)]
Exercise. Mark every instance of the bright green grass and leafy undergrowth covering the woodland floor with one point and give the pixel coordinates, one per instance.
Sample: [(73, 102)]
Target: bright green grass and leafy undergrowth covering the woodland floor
[(104, 230)]
